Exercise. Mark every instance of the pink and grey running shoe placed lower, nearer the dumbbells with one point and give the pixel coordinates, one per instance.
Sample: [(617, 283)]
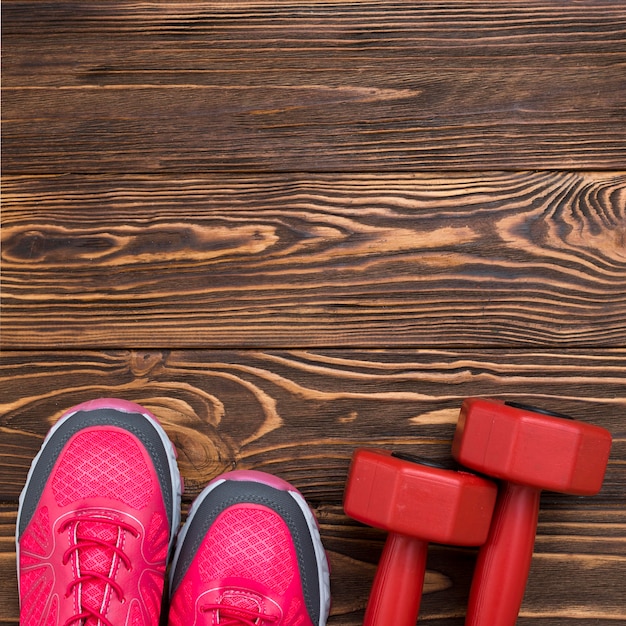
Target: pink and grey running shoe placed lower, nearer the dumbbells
[(249, 554)]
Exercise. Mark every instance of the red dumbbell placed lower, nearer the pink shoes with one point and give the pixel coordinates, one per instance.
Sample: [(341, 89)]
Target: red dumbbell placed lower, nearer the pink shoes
[(417, 503)]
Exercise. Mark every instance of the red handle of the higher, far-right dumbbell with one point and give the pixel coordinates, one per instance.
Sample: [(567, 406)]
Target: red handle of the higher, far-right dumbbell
[(504, 560)]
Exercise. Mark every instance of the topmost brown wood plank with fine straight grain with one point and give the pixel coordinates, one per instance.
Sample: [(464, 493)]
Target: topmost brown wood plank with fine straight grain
[(316, 86)]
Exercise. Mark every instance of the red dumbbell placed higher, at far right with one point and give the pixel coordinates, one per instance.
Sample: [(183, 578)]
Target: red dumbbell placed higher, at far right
[(531, 450)]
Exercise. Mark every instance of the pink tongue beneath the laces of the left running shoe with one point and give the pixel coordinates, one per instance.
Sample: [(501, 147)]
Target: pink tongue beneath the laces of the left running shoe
[(98, 559)]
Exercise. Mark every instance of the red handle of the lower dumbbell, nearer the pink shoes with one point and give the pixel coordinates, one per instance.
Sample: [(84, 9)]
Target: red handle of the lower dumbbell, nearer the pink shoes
[(397, 590)]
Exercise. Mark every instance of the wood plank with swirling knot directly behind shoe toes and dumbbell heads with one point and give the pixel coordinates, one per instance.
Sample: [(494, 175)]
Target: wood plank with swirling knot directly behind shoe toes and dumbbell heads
[(300, 414)]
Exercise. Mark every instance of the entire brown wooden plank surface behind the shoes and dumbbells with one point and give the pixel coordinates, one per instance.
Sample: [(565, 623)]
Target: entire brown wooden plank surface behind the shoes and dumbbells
[(291, 228)]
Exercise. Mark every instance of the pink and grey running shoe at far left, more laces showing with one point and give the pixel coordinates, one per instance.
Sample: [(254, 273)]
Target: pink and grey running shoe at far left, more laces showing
[(97, 519)]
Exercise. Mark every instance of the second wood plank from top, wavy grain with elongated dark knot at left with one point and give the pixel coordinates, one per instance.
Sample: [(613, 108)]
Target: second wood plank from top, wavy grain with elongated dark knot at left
[(493, 259)]
